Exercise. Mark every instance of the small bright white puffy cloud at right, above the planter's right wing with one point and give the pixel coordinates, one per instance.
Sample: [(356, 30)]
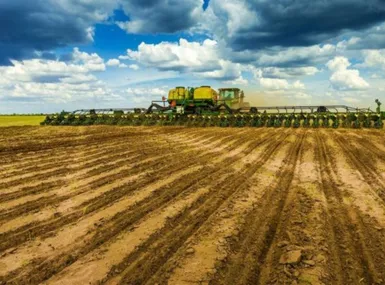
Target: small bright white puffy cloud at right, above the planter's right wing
[(343, 78)]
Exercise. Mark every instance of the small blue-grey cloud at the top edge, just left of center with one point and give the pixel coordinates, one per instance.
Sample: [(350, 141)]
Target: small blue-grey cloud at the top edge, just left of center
[(160, 16)]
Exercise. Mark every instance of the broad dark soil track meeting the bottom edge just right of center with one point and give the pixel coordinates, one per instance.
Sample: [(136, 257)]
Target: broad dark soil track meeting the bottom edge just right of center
[(260, 228)]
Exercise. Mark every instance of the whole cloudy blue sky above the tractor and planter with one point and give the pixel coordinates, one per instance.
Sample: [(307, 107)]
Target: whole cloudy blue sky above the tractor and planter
[(72, 54)]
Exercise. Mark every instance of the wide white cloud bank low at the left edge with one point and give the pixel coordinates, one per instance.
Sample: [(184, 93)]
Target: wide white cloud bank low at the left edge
[(54, 81)]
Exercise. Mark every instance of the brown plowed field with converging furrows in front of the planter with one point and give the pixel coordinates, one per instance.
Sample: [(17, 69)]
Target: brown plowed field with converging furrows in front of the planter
[(152, 205)]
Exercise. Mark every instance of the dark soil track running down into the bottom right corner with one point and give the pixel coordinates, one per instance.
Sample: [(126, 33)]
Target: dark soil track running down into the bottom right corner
[(352, 260)]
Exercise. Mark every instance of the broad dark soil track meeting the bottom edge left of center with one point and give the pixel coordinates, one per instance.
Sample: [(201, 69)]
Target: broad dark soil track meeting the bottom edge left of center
[(142, 264)]
